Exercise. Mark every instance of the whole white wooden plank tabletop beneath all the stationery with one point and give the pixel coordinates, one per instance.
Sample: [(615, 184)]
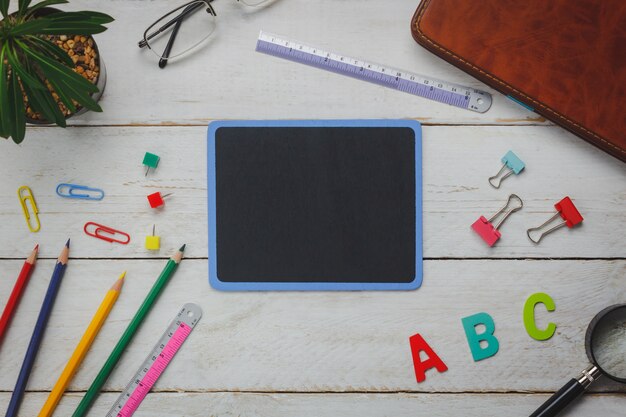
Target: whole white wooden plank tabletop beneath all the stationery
[(309, 354)]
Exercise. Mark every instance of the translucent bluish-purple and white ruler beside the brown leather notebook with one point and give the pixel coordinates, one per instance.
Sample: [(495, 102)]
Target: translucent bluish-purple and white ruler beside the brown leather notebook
[(419, 85)]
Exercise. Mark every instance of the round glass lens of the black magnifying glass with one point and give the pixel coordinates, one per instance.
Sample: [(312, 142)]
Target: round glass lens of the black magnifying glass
[(609, 343)]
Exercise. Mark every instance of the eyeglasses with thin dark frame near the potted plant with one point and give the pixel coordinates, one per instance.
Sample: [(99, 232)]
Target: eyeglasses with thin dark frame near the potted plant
[(199, 19)]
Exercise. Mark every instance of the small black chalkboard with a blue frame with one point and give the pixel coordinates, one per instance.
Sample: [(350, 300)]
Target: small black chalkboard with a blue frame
[(315, 205)]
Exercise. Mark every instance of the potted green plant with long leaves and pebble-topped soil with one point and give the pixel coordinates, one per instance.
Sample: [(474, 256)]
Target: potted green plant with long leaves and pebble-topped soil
[(50, 65)]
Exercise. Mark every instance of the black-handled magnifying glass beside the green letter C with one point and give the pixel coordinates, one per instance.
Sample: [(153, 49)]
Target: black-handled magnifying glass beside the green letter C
[(605, 342)]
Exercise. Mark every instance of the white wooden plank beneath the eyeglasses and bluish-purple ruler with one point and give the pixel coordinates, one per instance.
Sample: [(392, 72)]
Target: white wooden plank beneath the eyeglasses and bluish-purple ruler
[(228, 79)]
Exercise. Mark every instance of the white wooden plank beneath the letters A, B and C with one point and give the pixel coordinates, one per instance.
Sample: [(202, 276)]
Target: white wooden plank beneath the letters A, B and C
[(325, 341)]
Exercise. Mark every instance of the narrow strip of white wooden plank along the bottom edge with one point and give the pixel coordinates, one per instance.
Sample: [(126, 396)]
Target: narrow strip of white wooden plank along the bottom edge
[(364, 405)]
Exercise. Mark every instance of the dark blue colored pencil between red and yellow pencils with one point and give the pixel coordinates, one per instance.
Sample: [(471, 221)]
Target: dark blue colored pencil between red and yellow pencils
[(40, 327)]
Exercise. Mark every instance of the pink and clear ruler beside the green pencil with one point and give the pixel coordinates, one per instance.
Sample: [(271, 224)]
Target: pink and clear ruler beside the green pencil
[(156, 362)]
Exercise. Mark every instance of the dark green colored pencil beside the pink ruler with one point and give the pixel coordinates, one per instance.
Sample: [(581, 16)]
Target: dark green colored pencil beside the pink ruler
[(126, 338)]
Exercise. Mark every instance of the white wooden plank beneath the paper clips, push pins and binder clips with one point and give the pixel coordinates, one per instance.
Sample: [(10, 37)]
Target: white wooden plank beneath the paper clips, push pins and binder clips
[(456, 164)]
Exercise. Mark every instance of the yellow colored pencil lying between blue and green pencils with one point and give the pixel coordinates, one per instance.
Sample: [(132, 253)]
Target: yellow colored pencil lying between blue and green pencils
[(83, 347)]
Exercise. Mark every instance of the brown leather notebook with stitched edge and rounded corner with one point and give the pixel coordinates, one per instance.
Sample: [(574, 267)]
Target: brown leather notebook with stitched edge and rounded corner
[(564, 59)]
